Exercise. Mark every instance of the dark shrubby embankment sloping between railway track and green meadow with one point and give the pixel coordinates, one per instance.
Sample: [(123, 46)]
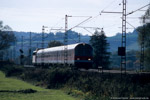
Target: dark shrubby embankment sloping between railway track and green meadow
[(84, 85)]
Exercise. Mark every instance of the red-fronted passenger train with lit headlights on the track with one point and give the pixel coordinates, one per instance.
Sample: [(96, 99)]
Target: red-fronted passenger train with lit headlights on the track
[(79, 55)]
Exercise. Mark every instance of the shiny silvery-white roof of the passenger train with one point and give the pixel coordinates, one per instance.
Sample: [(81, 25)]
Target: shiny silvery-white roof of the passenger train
[(59, 48)]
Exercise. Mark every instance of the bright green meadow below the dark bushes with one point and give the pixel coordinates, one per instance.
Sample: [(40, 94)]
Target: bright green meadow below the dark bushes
[(11, 84)]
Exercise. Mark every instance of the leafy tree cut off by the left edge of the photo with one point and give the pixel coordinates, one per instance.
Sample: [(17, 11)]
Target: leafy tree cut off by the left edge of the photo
[(6, 36)]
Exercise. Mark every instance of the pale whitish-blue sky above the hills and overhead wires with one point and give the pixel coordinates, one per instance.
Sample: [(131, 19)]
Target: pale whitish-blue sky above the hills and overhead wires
[(31, 15)]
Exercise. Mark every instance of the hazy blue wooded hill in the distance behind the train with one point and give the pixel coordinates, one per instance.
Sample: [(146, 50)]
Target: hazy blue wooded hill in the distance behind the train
[(73, 37)]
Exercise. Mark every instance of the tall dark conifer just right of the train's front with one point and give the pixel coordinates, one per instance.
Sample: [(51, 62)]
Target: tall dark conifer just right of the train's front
[(100, 46)]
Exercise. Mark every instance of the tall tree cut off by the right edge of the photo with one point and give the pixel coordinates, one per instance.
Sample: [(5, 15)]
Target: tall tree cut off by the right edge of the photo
[(144, 34)]
